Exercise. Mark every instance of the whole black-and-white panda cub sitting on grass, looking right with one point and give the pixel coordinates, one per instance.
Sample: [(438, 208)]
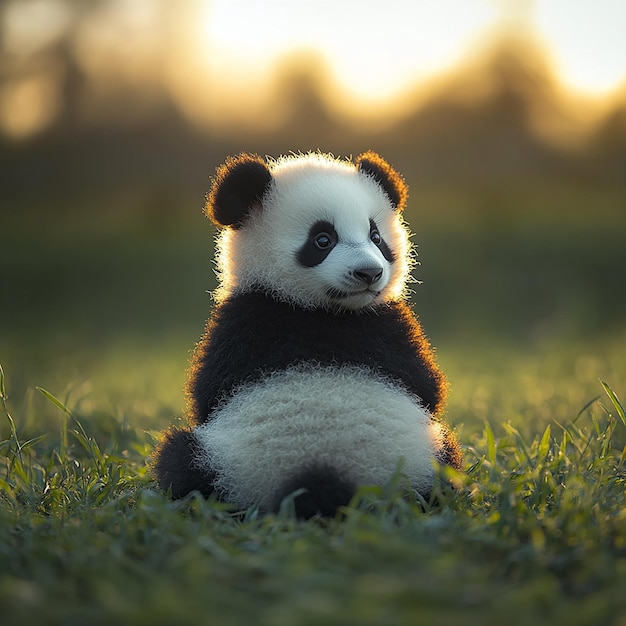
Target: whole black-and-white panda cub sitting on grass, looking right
[(313, 373)]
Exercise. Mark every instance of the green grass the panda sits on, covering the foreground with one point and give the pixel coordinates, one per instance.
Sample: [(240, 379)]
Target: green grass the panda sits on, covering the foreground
[(534, 533)]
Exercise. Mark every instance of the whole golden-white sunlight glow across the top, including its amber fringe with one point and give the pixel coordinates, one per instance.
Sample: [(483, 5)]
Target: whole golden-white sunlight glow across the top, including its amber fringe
[(250, 64)]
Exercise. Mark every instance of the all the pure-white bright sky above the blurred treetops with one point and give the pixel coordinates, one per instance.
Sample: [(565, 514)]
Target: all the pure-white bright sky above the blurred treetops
[(376, 49)]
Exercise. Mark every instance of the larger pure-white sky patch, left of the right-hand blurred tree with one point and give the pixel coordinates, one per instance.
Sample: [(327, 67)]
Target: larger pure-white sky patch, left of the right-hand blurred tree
[(374, 49)]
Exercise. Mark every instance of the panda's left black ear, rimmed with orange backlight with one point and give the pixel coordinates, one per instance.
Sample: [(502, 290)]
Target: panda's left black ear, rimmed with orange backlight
[(239, 184)]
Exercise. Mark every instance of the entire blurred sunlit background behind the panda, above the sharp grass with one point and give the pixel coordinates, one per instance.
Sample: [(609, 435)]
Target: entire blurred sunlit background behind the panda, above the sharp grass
[(506, 117)]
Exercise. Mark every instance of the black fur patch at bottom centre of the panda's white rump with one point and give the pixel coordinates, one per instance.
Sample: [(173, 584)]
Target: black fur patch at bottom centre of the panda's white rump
[(324, 491)]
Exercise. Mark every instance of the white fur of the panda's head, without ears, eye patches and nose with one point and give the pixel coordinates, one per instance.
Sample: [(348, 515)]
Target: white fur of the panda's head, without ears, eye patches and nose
[(305, 190)]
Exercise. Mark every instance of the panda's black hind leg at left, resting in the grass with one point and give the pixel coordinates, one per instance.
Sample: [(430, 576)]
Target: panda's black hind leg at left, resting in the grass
[(175, 466)]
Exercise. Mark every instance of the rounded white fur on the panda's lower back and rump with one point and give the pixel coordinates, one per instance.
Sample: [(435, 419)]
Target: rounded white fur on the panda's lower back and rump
[(347, 418)]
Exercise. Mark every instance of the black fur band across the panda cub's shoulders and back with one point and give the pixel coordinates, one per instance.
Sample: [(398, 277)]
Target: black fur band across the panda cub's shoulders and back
[(252, 334)]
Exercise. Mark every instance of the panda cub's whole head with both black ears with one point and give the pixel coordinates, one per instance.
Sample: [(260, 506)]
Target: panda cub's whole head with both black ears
[(311, 230)]
